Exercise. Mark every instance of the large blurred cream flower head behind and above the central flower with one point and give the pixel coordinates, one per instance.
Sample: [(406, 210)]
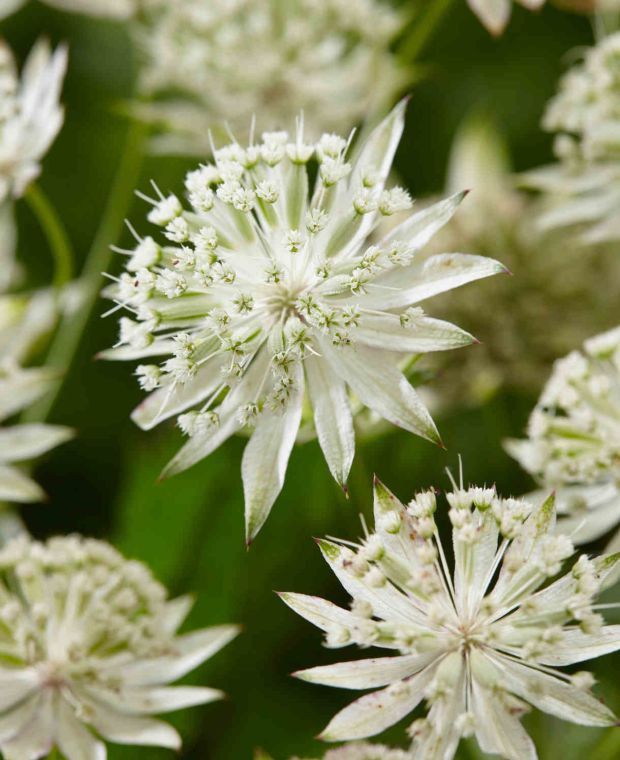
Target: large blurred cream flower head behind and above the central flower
[(226, 61)]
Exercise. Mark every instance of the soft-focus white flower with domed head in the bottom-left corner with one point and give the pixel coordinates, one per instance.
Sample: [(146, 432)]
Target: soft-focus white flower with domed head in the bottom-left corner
[(89, 648)]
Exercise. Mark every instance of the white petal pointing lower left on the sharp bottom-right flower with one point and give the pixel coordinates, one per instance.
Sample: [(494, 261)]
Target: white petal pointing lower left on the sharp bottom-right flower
[(379, 710)]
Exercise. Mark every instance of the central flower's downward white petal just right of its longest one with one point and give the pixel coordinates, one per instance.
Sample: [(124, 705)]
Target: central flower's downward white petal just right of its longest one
[(332, 417)]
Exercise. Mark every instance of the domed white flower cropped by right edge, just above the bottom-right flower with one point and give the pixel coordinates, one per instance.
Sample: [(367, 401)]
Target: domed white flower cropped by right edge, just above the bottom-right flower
[(574, 438)]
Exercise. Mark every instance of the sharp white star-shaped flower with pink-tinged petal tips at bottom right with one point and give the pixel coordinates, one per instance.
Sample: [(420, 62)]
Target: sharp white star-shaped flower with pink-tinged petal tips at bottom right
[(480, 643)]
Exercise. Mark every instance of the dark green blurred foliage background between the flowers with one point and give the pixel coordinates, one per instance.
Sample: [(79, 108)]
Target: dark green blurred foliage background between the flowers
[(190, 529)]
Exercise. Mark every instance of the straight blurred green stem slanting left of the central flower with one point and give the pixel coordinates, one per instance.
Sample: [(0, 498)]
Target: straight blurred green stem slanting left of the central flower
[(66, 343)]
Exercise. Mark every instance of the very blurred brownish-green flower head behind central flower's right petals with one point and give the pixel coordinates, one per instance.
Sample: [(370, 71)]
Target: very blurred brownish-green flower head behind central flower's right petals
[(553, 275)]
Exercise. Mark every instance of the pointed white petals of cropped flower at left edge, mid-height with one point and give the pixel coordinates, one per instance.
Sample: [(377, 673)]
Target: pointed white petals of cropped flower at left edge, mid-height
[(21, 443)]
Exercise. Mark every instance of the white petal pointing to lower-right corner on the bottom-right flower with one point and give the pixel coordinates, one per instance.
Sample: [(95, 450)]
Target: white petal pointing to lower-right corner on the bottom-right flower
[(552, 695)]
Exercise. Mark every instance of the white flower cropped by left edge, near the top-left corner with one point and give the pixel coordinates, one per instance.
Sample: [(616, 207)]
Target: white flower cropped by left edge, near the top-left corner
[(30, 116)]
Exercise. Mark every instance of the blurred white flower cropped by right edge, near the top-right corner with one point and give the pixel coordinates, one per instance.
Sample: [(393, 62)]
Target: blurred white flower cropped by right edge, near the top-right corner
[(584, 185)]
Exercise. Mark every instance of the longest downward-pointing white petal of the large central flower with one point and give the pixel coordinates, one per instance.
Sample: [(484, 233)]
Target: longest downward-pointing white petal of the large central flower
[(266, 456)]
